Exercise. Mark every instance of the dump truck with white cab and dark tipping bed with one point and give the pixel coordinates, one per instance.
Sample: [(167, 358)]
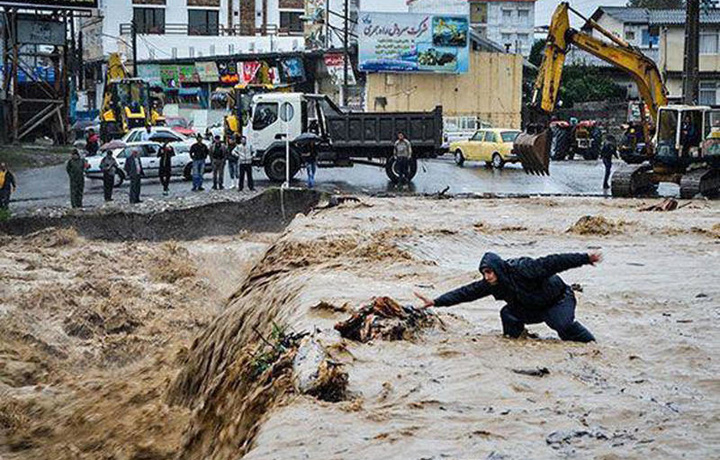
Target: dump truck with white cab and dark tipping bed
[(338, 138)]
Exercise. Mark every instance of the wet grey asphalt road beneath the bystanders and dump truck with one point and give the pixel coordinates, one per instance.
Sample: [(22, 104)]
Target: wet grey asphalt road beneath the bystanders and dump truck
[(48, 186)]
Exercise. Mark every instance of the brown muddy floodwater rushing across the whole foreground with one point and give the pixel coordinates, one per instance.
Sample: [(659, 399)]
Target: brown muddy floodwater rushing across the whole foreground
[(152, 349)]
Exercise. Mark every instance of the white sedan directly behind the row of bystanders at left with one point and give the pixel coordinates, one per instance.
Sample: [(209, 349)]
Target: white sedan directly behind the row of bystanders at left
[(181, 163)]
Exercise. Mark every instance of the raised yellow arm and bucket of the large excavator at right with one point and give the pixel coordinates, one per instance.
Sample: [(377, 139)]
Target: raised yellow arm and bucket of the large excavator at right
[(534, 153)]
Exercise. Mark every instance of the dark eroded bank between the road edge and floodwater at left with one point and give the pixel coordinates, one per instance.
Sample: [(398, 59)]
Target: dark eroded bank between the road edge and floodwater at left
[(261, 213)]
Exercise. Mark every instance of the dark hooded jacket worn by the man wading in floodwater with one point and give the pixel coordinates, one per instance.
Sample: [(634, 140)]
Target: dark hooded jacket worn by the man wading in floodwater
[(525, 284)]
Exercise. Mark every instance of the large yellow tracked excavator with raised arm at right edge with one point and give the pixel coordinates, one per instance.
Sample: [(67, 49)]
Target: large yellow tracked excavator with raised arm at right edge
[(682, 144)]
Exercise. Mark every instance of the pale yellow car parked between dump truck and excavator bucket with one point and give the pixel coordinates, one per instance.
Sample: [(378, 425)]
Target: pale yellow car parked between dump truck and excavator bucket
[(493, 146)]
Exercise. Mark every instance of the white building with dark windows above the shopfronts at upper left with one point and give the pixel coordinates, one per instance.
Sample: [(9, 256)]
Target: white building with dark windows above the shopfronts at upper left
[(169, 29)]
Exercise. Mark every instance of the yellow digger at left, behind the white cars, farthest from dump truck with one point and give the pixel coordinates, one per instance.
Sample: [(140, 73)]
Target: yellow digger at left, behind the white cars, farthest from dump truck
[(126, 102)]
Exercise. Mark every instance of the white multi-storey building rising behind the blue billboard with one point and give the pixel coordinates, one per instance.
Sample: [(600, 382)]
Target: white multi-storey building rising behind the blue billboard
[(509, 23)]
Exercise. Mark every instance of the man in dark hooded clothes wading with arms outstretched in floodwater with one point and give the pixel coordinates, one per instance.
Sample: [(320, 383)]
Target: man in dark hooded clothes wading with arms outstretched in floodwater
[(532, 289)]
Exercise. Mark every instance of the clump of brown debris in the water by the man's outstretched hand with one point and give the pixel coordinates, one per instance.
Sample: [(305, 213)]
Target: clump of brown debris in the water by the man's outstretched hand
[(384, 319)]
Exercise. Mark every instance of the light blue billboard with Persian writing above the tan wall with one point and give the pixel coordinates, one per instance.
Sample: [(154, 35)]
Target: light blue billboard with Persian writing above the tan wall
[(413, 42)]
